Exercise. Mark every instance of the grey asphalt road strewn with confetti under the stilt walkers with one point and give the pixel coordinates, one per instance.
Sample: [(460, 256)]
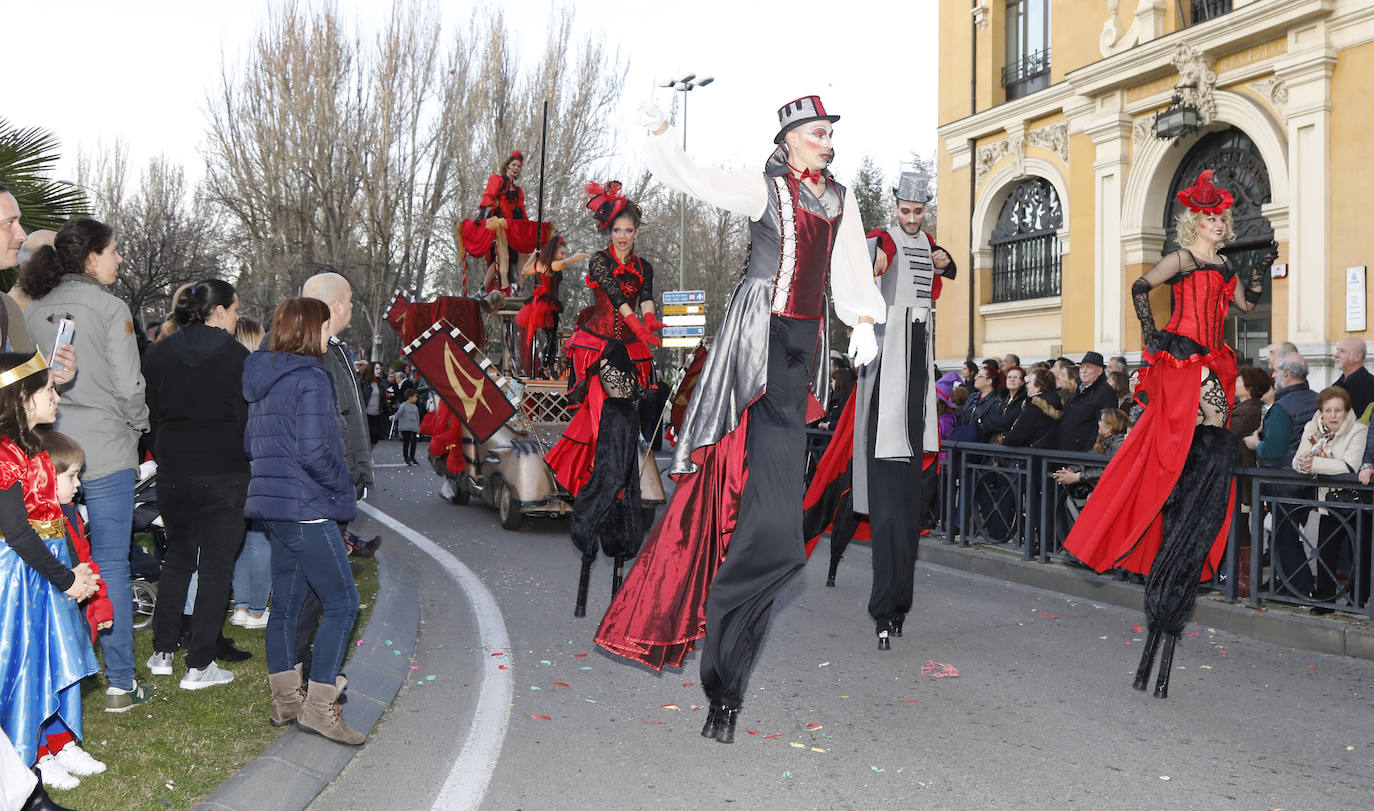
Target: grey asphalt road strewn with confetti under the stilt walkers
[(1041, 715)]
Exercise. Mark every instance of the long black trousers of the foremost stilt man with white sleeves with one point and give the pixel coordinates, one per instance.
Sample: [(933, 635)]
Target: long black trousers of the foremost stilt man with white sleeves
[(766, 549)]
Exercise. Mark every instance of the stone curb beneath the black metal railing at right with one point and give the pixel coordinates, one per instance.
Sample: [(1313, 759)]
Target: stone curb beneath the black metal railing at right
[(1276, 625)]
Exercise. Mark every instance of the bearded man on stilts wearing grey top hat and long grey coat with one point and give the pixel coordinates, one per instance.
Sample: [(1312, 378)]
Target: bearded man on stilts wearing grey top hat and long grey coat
[(892, 458)]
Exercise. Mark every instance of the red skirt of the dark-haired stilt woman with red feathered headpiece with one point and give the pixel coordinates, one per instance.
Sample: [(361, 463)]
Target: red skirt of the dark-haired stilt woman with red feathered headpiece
[(574, 456)]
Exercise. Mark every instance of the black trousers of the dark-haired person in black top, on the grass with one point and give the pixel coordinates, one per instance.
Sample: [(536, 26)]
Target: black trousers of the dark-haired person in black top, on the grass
[(204, 518)]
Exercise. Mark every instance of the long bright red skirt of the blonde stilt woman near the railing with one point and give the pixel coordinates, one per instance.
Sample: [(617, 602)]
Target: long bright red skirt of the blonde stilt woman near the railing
[(1122, 526)]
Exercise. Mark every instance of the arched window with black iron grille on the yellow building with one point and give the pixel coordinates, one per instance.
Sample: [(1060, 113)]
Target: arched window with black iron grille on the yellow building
[(1026, 244)]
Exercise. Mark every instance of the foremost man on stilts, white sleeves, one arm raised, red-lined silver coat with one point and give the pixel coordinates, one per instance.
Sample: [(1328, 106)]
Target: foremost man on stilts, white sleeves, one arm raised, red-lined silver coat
[(730, 538)]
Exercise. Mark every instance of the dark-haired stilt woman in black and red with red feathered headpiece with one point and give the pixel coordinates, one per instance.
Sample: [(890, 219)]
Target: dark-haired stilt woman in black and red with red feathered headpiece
[(597, 460)]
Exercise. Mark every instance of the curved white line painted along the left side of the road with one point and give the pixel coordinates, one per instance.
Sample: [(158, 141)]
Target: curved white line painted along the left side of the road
[(468, 780)]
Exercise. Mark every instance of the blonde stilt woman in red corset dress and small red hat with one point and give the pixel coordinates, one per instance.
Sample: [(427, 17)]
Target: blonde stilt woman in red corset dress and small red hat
[(1164, 502)]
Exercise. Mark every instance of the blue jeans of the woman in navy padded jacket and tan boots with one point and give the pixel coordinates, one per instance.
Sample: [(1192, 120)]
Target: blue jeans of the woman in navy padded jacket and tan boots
[(304, 557)]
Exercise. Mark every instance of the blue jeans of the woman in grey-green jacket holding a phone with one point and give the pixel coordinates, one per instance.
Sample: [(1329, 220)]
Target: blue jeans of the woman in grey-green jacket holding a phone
[(111, 523)]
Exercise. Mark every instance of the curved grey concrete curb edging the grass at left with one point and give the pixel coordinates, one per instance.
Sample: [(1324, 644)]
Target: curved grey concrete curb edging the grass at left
[(296, 768)]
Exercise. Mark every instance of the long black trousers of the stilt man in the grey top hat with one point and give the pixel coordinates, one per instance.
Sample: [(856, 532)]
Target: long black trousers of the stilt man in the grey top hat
[(897, 494)]
